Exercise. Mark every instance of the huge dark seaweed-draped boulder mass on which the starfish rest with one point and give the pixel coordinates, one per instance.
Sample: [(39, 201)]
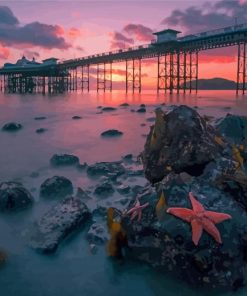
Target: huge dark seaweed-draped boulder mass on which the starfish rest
[(185, 154)]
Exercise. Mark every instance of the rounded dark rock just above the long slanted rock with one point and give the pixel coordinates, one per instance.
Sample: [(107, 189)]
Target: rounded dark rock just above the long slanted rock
[(56, 186)]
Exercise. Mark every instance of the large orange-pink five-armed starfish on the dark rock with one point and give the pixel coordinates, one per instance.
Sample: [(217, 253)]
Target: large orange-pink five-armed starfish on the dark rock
[(200, 219)]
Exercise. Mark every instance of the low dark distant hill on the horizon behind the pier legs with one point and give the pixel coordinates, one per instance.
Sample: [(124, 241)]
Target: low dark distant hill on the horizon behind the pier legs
[(216, 83)]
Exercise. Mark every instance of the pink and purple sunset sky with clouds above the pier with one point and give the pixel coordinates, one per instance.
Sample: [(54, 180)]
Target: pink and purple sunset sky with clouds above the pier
[(68, 29)]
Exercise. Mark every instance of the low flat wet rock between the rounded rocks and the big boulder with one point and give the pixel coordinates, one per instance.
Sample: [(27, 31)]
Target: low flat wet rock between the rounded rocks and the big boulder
[(109, 169)]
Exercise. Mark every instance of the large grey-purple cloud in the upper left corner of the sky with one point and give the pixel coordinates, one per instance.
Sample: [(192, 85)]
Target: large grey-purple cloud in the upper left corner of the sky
[(31, 35)]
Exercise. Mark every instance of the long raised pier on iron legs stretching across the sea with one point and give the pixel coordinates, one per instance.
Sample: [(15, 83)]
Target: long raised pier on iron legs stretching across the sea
[(177, 65)]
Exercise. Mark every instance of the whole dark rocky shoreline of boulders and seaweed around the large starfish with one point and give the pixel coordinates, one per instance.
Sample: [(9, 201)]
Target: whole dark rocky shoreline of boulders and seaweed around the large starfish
[(183, 153)]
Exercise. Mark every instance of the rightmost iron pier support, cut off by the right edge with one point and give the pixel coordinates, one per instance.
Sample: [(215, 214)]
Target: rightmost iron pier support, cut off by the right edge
[(242, 67)]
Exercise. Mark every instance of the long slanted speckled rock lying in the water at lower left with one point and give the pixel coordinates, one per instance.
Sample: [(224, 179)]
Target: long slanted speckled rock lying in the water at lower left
[(60, 221)]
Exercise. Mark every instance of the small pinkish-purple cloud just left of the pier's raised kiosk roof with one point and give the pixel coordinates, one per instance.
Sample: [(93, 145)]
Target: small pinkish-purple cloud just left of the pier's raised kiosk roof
[(139, 32)]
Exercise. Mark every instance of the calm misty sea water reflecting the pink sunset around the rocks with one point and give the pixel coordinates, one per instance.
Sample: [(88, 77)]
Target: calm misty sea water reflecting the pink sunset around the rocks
[(80, 265)]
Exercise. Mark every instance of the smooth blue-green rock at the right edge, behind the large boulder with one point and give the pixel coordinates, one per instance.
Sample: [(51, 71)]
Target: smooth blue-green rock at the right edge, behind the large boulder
[(233, 128)]
